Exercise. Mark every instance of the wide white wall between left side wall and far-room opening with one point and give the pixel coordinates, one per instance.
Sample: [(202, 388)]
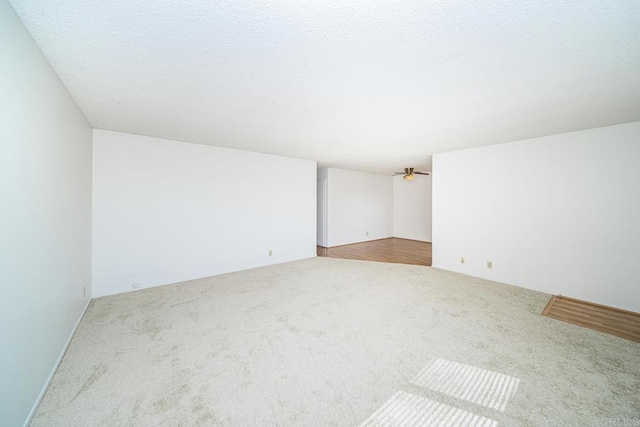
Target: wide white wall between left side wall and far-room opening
[(170, 211)]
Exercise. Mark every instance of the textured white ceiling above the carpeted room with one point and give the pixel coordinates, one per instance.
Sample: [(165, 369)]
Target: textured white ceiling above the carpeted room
[(367, 85)]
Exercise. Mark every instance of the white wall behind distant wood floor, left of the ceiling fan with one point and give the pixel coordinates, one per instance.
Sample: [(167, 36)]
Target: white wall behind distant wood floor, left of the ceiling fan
[(360, 206)]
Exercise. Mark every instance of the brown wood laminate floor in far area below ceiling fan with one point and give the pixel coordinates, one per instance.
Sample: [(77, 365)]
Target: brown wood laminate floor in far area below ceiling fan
[(395, 250)]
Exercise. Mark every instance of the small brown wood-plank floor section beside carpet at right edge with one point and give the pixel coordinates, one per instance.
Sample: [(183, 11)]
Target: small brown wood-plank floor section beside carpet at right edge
[(621, 323)]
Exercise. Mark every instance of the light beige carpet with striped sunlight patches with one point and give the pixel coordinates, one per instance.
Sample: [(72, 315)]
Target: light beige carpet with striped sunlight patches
[(338, 342)]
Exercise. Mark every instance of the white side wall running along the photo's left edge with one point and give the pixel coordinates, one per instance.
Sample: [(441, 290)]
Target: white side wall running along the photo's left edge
[(45, 219)]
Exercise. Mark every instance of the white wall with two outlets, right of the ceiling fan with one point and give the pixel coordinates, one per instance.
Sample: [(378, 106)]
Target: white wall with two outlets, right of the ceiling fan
[(559, 214)]
